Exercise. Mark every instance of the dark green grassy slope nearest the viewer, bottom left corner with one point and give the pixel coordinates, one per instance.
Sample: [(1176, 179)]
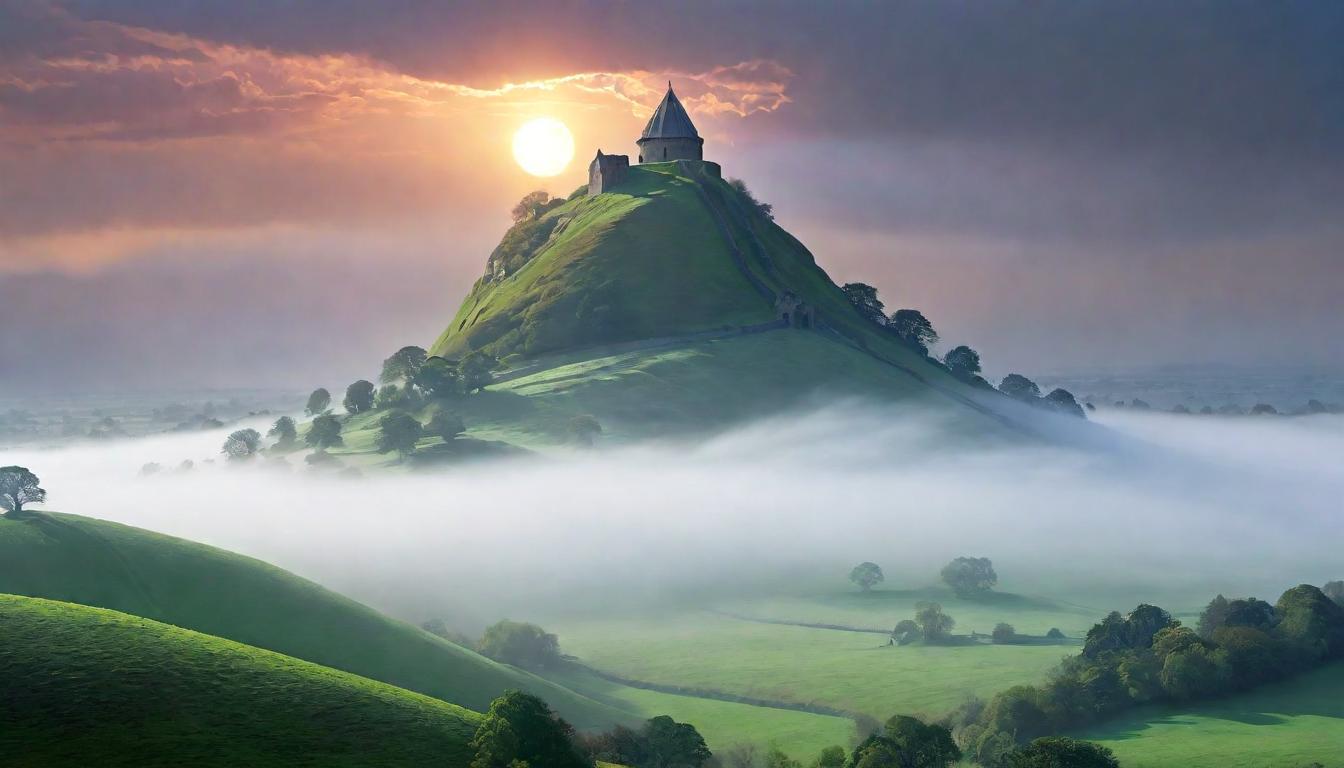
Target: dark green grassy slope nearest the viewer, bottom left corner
[(87, 687)]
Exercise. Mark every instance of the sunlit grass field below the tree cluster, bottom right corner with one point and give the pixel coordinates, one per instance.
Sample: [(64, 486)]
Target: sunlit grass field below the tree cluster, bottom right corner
[(1290, 724)]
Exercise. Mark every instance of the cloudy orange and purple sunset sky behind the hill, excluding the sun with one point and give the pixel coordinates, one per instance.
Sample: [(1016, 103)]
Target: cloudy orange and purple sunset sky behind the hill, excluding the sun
[(259, 194)]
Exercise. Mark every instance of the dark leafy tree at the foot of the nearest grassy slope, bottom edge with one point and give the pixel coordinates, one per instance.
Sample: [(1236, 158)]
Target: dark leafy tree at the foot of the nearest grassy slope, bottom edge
[(522, 731)]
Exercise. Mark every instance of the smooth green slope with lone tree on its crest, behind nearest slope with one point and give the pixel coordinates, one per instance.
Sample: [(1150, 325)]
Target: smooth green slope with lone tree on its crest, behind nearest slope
[(212, 591)]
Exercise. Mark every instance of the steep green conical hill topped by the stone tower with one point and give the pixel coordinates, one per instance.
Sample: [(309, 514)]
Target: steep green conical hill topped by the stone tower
[(657, 303)]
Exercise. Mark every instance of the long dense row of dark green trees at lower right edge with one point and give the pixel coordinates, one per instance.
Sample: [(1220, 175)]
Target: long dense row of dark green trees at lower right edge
[(1148, 657)]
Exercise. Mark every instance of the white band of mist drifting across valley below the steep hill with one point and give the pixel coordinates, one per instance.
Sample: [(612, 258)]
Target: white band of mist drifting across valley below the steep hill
[(1178, 508)]
